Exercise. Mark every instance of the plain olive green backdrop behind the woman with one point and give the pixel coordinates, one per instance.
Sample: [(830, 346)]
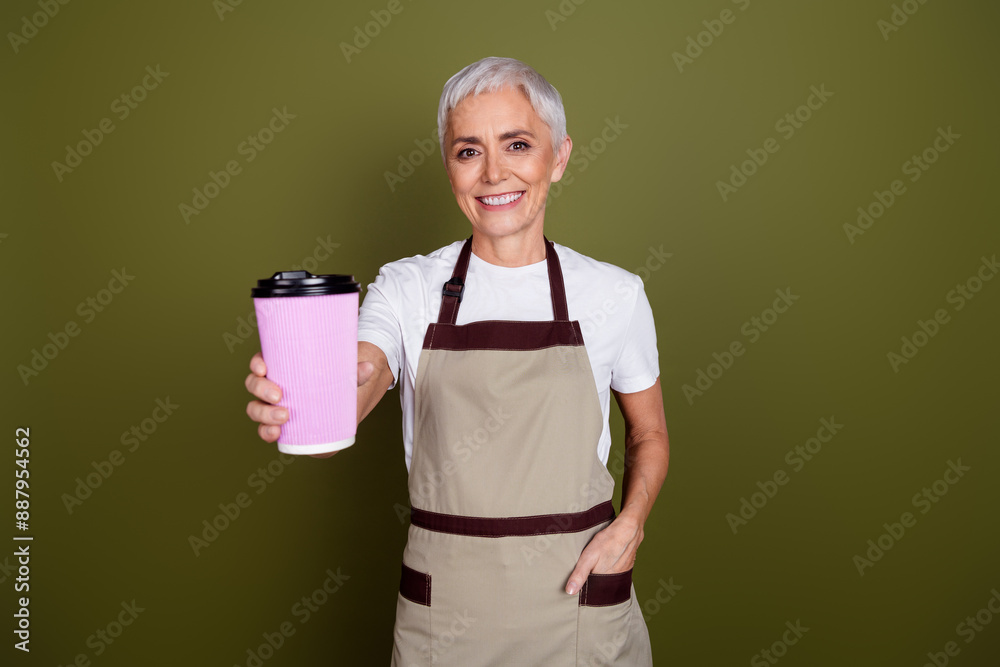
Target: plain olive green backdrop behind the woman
[(730, 555)]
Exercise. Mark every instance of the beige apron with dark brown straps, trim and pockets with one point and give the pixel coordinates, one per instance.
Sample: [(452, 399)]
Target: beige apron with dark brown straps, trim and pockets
[(506, 490)]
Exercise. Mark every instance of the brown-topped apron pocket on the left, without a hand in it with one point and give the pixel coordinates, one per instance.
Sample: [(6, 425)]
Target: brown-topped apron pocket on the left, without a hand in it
[(412, 632)]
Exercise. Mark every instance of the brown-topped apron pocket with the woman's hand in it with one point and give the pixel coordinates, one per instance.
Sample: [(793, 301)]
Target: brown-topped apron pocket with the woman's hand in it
[(605, 616)]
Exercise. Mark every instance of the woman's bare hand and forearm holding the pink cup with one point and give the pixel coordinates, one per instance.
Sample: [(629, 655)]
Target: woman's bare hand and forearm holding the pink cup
[(374, 378)]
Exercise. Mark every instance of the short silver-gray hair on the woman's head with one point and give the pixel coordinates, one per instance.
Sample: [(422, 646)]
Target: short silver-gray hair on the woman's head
[(492, 74)]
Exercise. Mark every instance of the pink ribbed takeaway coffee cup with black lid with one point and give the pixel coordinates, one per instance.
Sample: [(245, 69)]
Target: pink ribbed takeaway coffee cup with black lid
[(308, 329)]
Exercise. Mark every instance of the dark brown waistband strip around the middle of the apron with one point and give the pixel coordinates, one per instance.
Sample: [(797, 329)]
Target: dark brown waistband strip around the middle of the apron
[(513, 526)]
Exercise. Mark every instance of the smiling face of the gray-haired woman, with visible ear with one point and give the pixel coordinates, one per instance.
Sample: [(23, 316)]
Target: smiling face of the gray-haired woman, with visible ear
[(500, 163)]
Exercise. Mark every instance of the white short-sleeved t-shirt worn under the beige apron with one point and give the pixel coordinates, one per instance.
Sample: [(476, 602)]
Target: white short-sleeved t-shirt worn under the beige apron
[(609, 302)]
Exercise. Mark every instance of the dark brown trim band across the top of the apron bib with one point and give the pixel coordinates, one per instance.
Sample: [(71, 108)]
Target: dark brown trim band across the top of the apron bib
[(503, 335)]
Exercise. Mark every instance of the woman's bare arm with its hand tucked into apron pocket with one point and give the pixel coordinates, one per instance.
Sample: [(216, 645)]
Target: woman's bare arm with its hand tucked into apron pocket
[(647, 452)]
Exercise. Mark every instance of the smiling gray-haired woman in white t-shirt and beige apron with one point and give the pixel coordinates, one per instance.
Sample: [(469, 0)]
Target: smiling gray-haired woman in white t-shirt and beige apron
[(515, 555)]
